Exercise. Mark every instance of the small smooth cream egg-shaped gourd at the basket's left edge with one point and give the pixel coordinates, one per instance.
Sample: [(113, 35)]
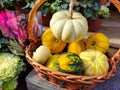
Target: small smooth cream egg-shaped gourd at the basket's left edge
[(41, 54)]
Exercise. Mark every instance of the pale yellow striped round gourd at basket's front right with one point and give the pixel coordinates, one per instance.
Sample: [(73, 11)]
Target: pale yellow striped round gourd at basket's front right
[(95, 63)]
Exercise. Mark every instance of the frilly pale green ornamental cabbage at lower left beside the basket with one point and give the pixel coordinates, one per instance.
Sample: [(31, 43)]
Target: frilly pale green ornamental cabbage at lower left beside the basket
[(10, 68)]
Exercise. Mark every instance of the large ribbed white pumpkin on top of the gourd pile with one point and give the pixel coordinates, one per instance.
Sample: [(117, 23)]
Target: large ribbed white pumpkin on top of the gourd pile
[(66, 28)]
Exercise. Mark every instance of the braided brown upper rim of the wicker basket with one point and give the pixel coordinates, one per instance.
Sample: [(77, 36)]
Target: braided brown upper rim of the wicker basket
[(110, 73)]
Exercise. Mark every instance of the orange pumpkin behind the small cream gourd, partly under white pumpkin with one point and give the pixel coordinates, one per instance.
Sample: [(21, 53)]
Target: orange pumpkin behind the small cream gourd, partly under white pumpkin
[(51, 42)]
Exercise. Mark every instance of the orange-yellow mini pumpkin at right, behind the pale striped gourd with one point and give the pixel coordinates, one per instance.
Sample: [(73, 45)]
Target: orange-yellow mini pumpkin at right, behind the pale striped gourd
[(98, 41)]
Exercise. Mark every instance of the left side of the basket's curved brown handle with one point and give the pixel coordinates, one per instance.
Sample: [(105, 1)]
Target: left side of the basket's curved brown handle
[(31, 16)]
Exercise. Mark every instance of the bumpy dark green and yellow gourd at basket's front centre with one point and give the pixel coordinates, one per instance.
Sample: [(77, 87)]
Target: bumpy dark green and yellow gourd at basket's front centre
[(69, 62)]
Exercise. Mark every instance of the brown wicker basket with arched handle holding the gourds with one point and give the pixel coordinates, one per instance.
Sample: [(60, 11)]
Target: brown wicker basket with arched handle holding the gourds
[(63, 80)]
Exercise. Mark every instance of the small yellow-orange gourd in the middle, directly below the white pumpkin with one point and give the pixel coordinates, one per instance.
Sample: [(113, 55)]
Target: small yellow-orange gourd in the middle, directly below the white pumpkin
[(76, 47)]
